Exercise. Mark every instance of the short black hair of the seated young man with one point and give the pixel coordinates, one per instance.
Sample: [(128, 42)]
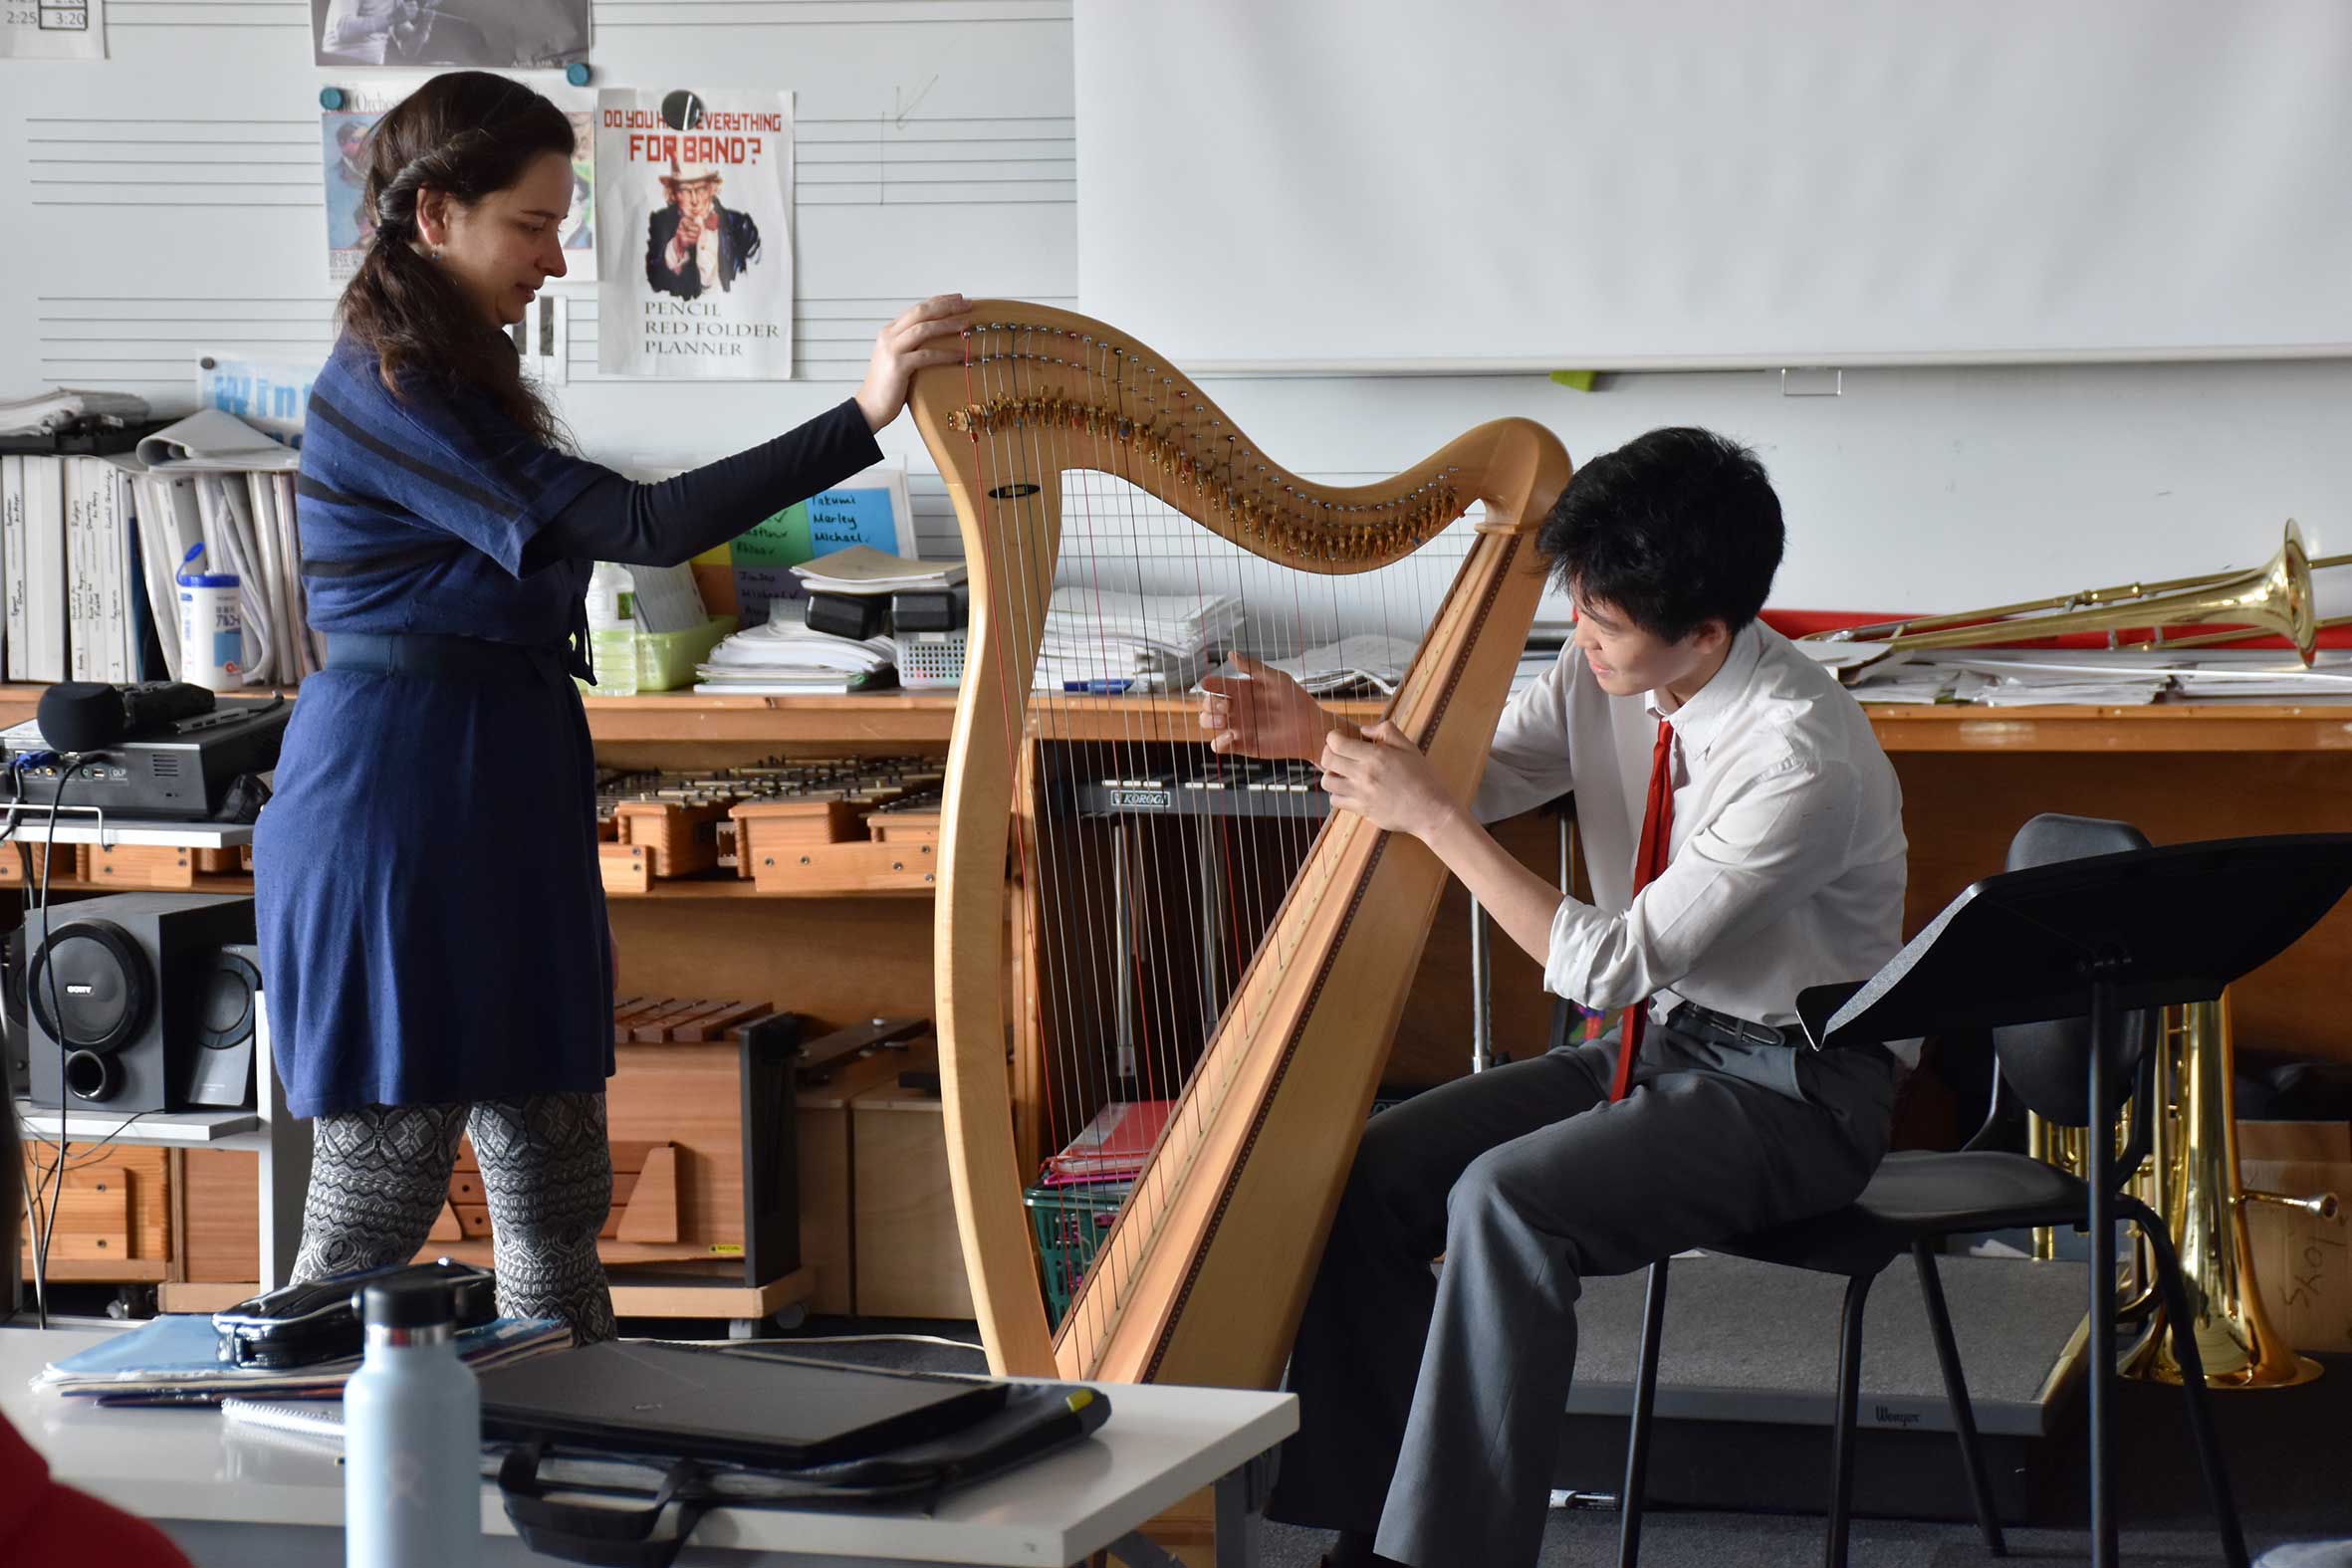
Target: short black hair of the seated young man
[(1673, 530)]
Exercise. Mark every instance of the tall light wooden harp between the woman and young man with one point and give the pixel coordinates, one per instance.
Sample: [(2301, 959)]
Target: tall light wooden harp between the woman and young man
[(1203, 1273)]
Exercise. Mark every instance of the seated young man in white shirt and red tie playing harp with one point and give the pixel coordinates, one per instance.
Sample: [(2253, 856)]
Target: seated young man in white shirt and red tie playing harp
[(1431, 1407)]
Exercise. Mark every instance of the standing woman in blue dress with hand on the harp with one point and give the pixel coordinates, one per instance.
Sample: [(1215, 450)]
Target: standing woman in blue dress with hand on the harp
[(427, 876)]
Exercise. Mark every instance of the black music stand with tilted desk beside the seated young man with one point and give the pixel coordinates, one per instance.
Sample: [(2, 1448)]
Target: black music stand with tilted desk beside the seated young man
[(2102, 937)]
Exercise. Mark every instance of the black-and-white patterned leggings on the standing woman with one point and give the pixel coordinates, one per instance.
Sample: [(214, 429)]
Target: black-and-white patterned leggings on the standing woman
[(380, 1179)]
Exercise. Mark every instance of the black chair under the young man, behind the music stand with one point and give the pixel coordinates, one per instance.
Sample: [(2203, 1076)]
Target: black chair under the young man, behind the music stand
[(1918, 1200)]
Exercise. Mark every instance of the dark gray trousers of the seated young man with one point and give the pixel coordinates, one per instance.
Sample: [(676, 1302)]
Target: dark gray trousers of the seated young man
[(1431, 1407)]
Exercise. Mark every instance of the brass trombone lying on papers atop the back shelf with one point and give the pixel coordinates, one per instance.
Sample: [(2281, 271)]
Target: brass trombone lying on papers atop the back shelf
[(2271, 601)]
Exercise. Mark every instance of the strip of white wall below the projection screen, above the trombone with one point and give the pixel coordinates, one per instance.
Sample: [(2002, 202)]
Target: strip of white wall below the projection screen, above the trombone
[(1927, 488)]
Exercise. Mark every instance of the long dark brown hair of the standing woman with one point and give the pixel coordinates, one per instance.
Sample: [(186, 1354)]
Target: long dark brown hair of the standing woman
[(465, 133)]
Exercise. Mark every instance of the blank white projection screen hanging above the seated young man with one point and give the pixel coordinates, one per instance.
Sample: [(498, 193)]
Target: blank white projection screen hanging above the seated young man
[(1535, 185)]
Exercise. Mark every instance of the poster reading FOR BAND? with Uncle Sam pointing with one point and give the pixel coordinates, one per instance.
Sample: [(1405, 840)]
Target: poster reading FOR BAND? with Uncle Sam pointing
[(695, 234)]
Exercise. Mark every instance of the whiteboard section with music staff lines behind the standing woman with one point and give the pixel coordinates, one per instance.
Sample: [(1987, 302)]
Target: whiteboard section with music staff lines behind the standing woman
[(166, 203)]
